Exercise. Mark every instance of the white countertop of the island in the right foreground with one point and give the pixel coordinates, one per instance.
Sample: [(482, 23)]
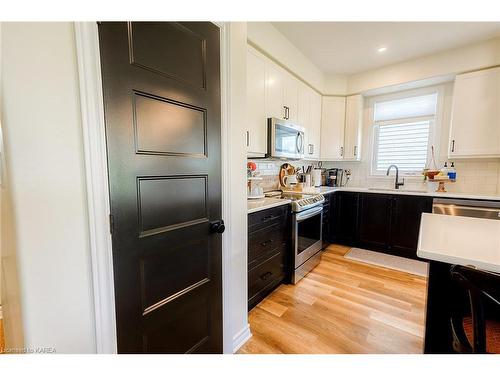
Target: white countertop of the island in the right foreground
[(460, 240)]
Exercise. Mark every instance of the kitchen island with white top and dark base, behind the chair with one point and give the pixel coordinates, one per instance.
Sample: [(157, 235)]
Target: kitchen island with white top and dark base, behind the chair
[(446, 241)]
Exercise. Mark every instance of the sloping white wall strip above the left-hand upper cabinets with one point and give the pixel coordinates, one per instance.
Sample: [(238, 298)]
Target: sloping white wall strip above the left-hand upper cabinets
[(269, 40)]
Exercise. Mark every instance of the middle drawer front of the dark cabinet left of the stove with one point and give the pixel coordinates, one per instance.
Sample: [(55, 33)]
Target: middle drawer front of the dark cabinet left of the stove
[(266, 241)]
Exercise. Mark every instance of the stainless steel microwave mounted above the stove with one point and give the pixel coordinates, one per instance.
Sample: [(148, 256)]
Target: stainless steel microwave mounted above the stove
[(285, 139)]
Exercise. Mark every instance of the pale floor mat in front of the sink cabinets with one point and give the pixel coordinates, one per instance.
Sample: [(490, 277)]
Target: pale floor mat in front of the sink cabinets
[(412, 266)]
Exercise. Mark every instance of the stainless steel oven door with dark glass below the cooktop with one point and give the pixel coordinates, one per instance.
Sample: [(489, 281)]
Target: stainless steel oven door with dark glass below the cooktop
[(307, 234)]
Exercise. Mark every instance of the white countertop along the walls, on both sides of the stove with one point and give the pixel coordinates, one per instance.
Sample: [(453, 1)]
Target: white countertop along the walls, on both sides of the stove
[(262, 204)]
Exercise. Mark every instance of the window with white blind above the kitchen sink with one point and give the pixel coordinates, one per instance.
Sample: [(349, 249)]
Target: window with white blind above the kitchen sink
[(402, 133)]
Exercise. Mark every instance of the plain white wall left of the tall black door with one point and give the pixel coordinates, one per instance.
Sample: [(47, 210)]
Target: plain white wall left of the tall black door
[(42, 134)]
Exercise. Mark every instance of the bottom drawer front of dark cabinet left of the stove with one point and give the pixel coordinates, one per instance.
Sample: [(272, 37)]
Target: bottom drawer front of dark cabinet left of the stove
[(267, 273)]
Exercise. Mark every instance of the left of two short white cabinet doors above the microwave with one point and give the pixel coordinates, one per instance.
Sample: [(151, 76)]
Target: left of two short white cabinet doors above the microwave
[(275, 89)]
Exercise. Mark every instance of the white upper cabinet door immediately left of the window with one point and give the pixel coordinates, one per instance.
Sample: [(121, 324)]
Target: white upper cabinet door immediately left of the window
[(353, 127)]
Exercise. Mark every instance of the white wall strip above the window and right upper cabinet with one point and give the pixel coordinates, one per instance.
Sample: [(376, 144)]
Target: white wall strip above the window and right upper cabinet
[(471, 57)]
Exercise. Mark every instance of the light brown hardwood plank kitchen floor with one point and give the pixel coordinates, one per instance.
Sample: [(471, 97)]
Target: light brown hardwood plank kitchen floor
[(342, 306)]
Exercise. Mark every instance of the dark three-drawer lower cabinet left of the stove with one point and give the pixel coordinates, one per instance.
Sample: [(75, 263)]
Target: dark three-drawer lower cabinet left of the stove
[(269, 233)]
